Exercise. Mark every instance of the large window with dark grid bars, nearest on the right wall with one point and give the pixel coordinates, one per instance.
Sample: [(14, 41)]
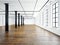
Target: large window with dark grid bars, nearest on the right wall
[(55, 15)]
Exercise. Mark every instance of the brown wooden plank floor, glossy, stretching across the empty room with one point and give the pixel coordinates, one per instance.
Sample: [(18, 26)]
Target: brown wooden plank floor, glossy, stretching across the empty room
[(28, 35)]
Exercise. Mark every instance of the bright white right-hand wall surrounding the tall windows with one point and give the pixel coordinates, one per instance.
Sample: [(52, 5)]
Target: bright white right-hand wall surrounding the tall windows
[(40, 18)]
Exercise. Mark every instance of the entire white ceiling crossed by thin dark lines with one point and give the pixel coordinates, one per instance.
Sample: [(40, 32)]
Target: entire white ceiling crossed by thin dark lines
[(23, 5)]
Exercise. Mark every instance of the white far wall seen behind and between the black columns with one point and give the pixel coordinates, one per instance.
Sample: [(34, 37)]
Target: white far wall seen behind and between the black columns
[(12, 20)]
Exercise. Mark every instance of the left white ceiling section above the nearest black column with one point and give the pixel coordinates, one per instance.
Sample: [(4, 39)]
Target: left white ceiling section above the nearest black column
[(13, 5)]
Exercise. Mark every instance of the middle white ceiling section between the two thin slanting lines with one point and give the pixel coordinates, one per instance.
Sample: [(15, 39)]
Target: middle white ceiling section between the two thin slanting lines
[(28, 4)]
